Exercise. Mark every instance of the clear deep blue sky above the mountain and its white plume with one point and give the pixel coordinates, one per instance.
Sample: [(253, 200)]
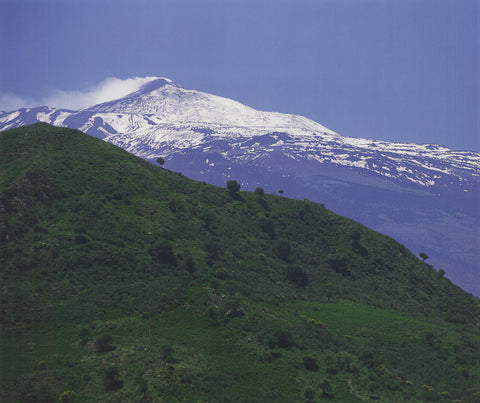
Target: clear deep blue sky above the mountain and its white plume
[(406, 70)]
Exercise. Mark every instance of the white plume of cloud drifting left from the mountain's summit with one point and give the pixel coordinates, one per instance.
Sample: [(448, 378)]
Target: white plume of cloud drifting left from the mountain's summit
[(107, 90)]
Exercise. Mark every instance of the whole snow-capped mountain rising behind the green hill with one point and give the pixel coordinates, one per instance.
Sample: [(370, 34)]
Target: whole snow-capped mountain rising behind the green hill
[(426, 196)]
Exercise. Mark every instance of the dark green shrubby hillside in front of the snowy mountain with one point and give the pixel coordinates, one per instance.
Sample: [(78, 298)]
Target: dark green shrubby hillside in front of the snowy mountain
[(123, 281)]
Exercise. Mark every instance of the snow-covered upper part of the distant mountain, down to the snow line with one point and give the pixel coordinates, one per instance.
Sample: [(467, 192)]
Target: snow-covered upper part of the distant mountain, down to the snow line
[(161, 119)]
